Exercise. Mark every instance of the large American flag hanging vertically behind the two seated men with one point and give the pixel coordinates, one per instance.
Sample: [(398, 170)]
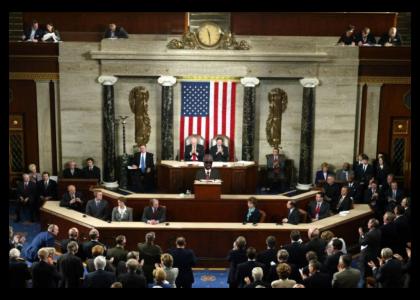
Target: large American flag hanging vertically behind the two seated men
[(208, 109)]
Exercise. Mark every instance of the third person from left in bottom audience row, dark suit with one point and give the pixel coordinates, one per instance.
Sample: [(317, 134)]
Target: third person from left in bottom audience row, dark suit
[(70, 267)]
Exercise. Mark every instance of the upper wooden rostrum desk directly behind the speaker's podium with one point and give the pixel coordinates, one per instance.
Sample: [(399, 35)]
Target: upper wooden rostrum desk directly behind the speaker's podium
[(177, 177)]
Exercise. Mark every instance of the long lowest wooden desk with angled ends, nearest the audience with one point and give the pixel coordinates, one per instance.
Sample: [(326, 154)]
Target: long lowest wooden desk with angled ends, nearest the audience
[(211, 242)]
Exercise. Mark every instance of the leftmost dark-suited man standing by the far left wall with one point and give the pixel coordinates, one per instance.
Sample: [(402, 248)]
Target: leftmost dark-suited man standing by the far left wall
[(27, 203)]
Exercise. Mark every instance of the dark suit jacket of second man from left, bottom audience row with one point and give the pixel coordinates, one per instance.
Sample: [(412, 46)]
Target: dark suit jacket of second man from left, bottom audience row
[(44, 275)]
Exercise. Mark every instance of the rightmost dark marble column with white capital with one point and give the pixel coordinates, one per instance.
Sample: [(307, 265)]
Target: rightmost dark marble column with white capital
[(307, 133)]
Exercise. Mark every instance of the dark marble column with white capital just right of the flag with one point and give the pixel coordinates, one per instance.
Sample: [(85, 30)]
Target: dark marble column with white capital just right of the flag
[(248, 127)]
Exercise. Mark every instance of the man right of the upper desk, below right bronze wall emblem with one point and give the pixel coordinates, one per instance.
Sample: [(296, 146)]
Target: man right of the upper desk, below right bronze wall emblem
[(276, 170)]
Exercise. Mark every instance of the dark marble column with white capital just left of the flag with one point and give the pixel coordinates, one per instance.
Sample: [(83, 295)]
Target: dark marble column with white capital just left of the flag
[(167, 117)]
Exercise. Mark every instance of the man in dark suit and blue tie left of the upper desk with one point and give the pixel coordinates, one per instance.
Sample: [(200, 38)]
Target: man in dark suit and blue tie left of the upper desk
[(142, 172)]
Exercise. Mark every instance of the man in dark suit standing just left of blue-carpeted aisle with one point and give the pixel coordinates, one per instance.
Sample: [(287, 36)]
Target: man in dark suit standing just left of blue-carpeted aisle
[(184, 260)]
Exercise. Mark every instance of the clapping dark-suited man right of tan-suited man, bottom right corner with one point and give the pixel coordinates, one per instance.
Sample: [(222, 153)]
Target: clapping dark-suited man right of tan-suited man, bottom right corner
[(389, 273)]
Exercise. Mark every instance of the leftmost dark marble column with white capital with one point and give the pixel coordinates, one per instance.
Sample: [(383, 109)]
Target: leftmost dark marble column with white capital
[(108, 126)]
